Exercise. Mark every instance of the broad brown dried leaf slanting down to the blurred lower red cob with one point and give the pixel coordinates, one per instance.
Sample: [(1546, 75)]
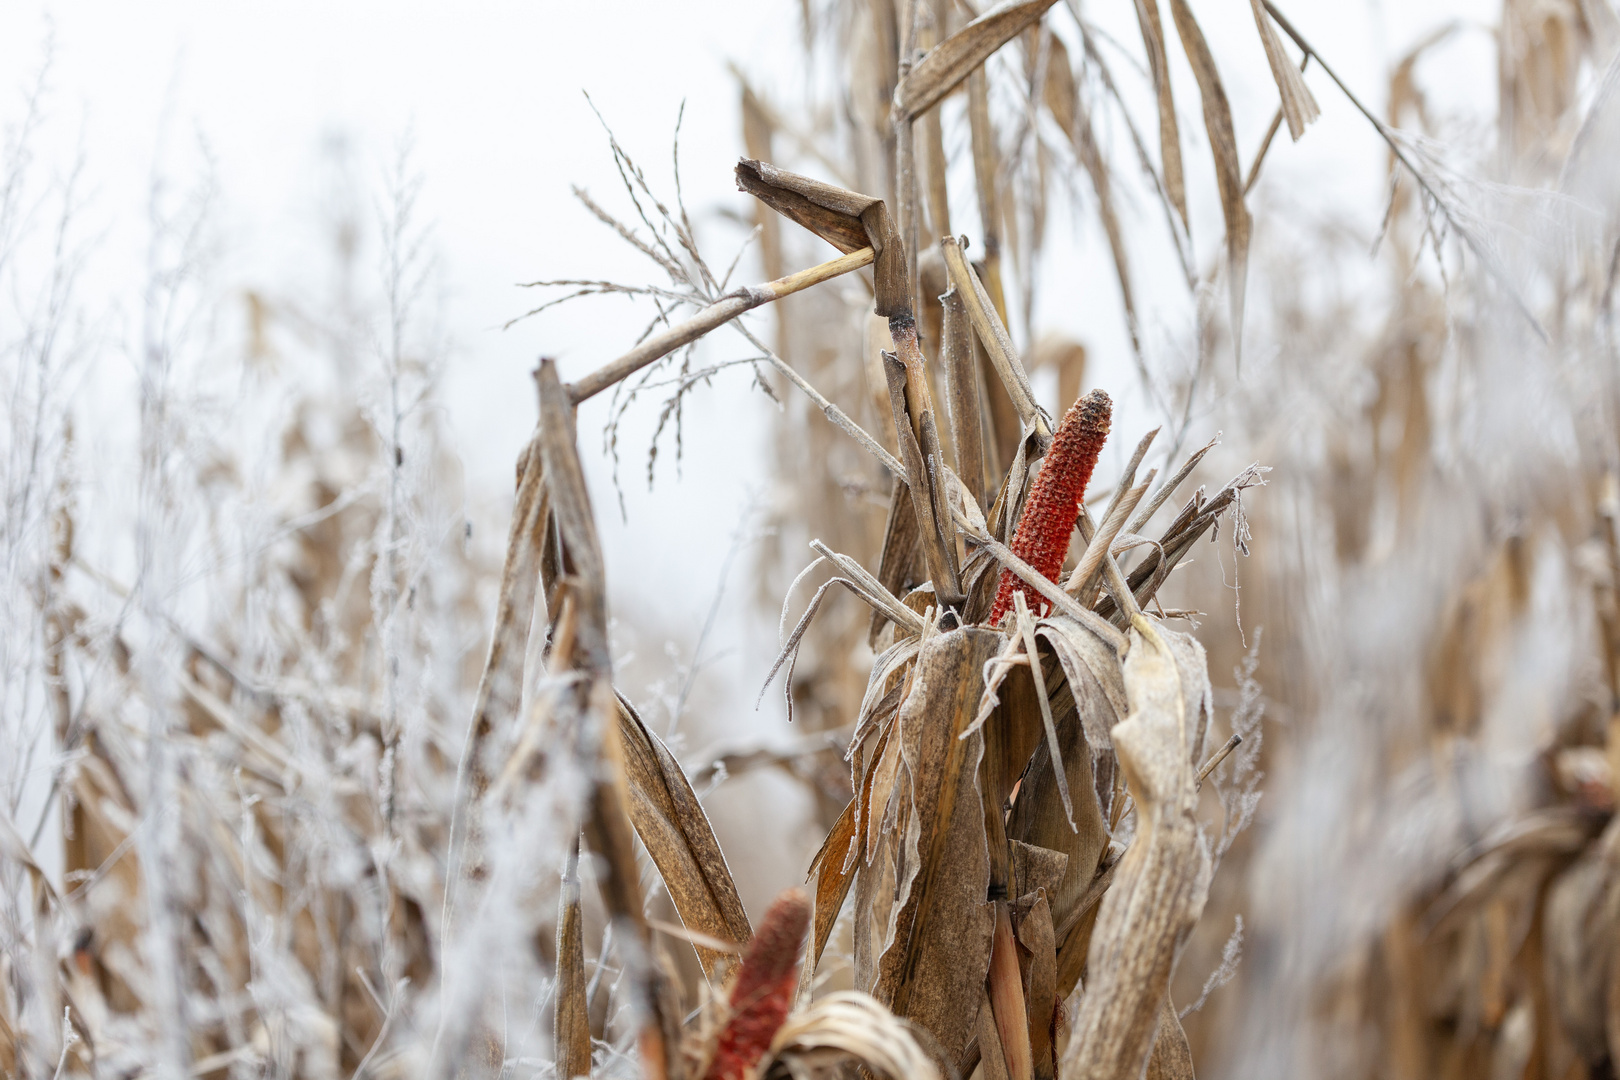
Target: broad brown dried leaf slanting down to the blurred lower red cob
[(676, 833)]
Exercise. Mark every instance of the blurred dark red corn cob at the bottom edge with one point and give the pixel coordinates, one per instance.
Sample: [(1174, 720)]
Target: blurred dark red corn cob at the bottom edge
[(765, 989)]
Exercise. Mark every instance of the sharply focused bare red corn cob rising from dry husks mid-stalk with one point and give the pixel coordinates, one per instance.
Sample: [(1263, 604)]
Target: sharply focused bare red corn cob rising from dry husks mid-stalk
[(1042, 537)]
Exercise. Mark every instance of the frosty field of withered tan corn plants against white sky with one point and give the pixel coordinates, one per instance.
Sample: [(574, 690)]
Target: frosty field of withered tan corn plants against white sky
[(1230, 694)]
